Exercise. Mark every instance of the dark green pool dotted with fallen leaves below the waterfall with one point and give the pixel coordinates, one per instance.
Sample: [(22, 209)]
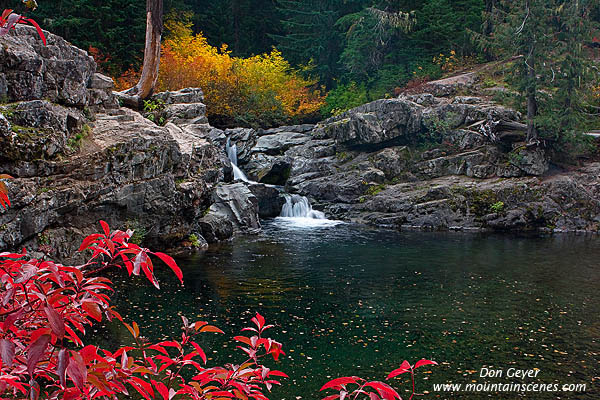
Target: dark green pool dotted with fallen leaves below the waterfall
[(352, 301)]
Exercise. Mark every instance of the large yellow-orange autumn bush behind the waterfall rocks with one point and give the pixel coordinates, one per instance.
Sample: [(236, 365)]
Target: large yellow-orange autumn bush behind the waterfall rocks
[(259, 90)]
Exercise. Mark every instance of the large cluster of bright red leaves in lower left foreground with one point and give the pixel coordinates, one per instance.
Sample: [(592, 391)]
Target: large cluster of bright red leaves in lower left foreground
[(46, 309)]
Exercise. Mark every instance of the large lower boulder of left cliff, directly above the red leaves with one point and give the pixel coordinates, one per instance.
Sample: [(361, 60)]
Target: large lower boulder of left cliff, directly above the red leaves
[(129, 170)]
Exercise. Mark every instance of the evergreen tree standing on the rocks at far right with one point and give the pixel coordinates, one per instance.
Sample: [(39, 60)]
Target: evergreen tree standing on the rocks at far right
[(553, 69)]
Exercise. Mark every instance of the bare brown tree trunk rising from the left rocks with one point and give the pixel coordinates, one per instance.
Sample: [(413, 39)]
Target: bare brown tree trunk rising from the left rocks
[(154, 27)]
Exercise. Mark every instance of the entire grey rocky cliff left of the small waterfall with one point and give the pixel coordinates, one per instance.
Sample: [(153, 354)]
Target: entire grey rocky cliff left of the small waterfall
[(77, 157)]
